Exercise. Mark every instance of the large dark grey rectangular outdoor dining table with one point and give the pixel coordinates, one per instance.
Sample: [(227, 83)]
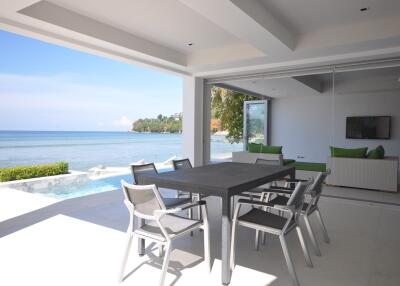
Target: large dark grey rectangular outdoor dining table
[(223, 180)]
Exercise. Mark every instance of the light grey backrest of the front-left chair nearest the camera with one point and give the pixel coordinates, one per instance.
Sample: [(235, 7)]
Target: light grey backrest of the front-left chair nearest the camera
[(145, 198)]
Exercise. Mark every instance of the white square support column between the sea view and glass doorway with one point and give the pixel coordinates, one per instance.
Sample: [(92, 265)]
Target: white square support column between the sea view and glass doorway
[(193, 119)]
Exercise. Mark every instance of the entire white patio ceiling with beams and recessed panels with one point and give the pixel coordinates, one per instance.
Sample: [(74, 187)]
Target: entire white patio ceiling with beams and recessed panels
[(229, 36)]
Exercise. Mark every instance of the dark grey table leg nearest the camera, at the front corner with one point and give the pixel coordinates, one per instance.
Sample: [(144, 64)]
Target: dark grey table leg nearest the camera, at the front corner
[(226, 240)]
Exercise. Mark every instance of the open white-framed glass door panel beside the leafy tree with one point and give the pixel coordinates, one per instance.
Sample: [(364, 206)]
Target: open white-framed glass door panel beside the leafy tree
[(255, 122)]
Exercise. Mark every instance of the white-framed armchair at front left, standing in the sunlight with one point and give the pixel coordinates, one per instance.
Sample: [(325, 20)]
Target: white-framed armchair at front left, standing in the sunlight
[(161, 225)]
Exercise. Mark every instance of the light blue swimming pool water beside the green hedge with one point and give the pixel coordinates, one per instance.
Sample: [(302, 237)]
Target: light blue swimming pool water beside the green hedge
[(91, 187)]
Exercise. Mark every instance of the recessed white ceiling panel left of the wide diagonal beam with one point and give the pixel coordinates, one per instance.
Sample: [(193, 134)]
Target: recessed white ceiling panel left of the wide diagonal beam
[(166, 22)]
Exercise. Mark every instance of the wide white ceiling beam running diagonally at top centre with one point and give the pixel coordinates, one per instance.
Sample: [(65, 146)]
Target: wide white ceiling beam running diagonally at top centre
[(248, 20)]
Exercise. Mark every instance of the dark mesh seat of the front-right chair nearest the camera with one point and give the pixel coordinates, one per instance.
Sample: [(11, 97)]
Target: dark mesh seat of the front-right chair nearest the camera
[(258, 217)]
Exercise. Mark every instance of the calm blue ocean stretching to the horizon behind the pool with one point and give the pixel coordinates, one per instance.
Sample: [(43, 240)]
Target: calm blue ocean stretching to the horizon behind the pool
[(84, 150)]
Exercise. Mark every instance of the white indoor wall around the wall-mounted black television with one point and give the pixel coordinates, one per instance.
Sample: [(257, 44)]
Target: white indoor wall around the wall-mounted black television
[(307, 126)]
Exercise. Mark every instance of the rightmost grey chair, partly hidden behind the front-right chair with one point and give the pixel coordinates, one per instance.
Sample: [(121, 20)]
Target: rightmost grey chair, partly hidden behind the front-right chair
[(310, 207)]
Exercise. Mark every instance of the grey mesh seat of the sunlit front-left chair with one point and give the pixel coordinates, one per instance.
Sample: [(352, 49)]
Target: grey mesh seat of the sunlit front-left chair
[(173, 224)]
